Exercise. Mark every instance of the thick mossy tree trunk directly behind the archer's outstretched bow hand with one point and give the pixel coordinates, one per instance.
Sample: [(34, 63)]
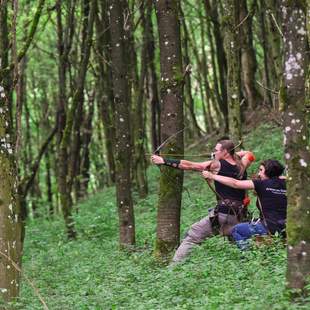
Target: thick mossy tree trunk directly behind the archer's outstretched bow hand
[(172, 80)]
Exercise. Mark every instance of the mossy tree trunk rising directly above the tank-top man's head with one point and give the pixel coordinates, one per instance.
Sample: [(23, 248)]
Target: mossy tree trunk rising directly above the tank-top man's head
[(232, 45)]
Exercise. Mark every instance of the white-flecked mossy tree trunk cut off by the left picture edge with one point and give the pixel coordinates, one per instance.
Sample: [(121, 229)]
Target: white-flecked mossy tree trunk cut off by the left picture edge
[(10, 217)]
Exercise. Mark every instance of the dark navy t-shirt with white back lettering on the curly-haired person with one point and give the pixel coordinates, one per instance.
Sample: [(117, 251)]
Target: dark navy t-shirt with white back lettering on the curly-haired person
[(272, 195)]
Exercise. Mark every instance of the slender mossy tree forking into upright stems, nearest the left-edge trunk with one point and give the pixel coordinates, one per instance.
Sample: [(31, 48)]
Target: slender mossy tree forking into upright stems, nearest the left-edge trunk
[(69, 138)]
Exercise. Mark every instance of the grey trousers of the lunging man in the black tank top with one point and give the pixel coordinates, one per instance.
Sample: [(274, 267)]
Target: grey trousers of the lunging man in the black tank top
[(202, 230)]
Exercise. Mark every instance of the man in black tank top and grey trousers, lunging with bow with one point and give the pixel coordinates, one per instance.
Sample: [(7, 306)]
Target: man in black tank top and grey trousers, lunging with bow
[(230, 205)]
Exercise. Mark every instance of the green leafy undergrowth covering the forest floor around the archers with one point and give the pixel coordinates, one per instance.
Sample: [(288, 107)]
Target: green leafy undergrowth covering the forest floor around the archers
[(92, 273)]
